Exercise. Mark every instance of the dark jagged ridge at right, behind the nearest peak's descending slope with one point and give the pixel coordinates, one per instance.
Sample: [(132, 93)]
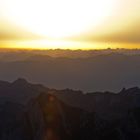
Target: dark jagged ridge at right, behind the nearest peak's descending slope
[(107, 105)]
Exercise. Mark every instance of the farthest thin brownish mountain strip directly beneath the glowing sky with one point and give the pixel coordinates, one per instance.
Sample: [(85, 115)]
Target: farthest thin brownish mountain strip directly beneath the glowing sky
[(21, 54)]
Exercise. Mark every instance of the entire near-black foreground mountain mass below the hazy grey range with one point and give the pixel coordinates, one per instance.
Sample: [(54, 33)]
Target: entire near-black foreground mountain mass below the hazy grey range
[(33, 112)]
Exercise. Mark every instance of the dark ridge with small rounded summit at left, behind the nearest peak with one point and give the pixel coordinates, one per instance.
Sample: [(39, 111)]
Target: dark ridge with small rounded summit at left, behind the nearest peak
[(19, 91)]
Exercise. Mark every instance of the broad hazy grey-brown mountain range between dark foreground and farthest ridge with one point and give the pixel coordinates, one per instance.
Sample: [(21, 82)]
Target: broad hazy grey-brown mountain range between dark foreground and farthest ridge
[(111, 71)]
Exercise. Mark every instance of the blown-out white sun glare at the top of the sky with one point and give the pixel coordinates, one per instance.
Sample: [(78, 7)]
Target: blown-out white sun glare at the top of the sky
[(58, 18)]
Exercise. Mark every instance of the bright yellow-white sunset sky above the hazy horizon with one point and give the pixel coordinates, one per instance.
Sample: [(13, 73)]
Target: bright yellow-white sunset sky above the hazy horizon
[(75, 24)]
